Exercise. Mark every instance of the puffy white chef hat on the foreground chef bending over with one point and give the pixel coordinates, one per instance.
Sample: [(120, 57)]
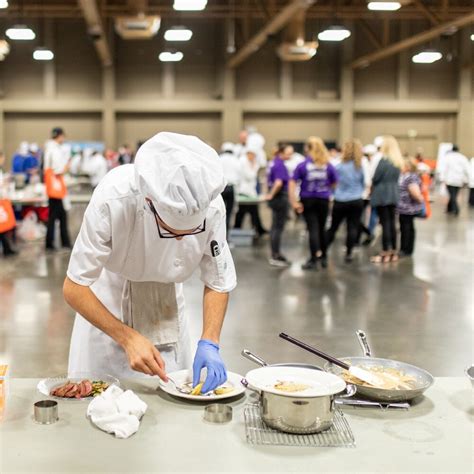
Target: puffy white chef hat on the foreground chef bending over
[(182, 175)]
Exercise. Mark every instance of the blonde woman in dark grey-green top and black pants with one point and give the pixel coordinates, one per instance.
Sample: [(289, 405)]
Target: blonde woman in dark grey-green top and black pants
[(385, 197)]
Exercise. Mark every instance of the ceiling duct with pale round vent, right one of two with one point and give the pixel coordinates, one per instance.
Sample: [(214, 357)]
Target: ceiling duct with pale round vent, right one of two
[(294, 46)]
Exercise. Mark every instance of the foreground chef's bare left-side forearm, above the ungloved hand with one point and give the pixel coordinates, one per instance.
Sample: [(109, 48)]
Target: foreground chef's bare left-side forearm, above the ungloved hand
[(83, 300)]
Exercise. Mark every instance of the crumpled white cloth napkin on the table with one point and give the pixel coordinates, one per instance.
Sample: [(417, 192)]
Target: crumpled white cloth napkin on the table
[(117, 412)]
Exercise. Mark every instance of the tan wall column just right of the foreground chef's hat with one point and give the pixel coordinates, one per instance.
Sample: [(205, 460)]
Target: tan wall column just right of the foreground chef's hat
[(232, 118)]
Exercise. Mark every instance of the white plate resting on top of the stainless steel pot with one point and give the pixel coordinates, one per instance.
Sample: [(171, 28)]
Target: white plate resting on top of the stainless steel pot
[(320, 383)]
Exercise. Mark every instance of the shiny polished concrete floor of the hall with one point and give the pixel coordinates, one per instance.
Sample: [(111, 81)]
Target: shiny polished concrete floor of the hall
[(419, 310)]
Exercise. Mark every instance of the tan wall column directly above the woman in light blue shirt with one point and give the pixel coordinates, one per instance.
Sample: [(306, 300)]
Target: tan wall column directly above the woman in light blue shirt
[(346, 117)]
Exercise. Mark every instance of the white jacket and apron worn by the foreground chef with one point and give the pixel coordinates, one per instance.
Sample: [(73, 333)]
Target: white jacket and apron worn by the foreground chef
[(119, 241)]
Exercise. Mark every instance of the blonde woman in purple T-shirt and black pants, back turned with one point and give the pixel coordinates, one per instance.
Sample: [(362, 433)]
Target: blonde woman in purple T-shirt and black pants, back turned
[(317, 179)]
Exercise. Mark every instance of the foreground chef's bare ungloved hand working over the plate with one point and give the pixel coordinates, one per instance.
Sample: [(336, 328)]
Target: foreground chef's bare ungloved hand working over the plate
[(143, 356)]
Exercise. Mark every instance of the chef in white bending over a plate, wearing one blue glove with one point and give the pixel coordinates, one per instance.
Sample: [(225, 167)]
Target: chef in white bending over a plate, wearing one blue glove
[(148, 226)]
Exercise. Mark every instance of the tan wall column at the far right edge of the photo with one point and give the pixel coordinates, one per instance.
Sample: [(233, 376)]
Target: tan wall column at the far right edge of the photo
[(465, 118)]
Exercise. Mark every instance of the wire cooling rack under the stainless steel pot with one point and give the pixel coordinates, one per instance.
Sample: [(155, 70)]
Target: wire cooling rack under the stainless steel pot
[(257, 432)]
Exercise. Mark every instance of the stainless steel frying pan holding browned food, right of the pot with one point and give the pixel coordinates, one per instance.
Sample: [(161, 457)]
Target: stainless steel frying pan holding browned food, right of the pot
[(423, 379)]
